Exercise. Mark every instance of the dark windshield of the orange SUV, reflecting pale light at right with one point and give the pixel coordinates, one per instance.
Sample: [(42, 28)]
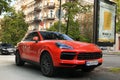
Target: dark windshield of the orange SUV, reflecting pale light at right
[(54, 36)]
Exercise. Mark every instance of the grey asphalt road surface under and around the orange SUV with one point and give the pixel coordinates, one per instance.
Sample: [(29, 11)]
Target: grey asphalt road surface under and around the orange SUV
[(9, 71)]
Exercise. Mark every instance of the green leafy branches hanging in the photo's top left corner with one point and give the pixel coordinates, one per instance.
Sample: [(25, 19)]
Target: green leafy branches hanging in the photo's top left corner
[(4, 6)]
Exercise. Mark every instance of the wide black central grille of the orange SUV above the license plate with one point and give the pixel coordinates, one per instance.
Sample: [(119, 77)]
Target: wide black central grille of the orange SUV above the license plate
[(88, 56)]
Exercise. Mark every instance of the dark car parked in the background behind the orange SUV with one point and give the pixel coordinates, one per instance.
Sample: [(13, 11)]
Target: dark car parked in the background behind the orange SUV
[(6, 48)]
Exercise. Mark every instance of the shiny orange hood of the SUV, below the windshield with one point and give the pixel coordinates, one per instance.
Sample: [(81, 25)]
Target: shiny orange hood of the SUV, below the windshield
[(83, 46)]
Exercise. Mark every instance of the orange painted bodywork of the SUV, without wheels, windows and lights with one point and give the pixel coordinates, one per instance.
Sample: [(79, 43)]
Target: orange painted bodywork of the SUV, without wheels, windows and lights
[(31, 50)]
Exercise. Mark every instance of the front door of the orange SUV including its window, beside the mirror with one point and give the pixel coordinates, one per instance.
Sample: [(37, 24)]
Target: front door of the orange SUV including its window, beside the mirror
[(31, 46)]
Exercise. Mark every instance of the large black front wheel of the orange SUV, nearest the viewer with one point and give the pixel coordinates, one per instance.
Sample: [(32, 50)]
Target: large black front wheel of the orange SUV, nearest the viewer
[(46, 65)]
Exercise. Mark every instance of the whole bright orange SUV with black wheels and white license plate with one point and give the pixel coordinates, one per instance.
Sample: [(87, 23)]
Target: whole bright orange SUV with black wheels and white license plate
[(53, 50)]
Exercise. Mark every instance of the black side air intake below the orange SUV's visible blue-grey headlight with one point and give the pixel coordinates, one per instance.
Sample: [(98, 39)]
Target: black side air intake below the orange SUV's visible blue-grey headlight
[(67, 55)]
